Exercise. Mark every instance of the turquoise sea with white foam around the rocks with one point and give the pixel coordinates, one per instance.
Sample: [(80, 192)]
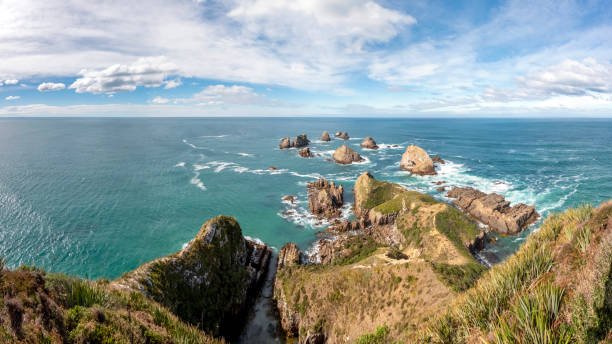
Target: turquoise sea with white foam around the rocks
[(98, 197)]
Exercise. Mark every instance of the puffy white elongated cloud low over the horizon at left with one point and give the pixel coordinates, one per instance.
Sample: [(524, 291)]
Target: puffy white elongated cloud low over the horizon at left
[(147, 72)]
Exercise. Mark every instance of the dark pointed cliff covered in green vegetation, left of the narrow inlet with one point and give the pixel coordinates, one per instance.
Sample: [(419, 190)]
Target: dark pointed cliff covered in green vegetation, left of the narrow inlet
[(209, 281)]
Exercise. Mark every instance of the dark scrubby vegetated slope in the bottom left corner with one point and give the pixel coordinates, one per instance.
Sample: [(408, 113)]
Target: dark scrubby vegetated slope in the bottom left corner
[(40, 307)]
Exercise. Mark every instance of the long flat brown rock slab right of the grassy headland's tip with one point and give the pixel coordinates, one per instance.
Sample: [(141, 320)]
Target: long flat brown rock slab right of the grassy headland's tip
[(493, 210)]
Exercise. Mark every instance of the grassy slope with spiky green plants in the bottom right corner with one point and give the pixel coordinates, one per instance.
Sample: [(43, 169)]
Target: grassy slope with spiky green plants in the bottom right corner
[(557, 288)]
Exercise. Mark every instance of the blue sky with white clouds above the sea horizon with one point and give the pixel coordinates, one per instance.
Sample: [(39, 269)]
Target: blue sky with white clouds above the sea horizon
[(306, 58)]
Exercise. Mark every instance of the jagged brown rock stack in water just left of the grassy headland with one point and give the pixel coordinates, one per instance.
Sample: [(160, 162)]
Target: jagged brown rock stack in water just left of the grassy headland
[(325, 199)]
